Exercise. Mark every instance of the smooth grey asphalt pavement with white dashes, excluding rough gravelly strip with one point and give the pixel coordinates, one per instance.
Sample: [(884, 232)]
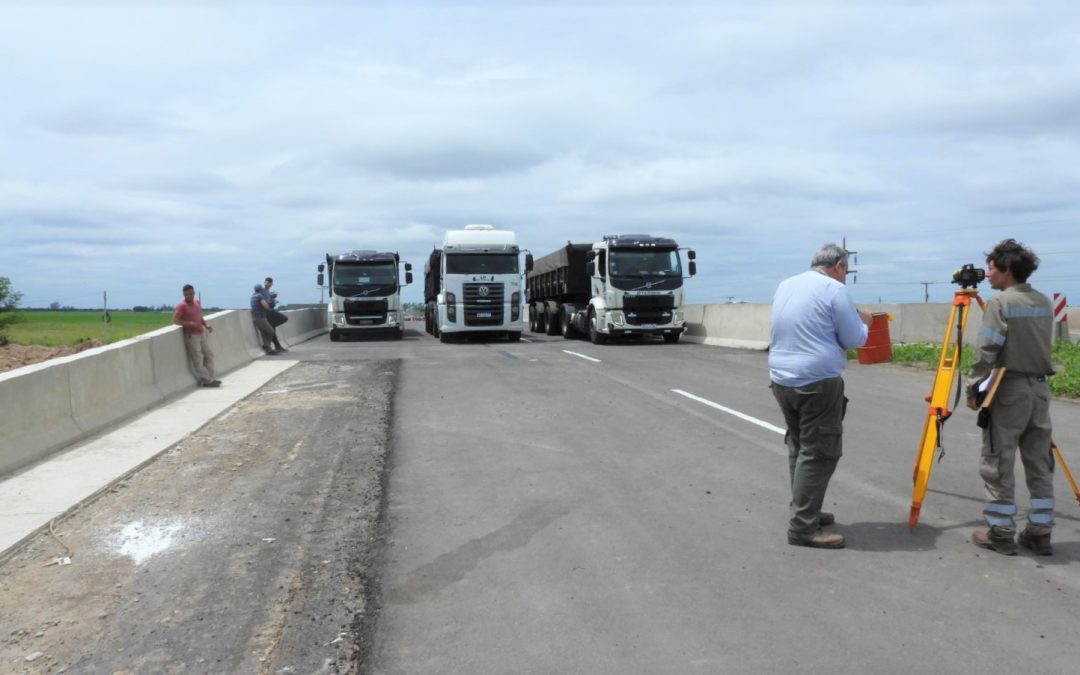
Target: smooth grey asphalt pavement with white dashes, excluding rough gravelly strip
[(549, 514)]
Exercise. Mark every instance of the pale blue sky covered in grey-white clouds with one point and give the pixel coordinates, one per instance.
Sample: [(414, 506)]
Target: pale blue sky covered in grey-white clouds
[(146, 145)]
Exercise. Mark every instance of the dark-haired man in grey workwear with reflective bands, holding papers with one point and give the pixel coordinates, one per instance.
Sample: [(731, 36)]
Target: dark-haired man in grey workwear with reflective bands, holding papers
[(1018, 326)]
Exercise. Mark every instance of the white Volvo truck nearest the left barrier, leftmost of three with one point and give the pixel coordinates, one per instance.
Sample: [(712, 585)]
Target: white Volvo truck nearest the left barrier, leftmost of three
[(366, 294)]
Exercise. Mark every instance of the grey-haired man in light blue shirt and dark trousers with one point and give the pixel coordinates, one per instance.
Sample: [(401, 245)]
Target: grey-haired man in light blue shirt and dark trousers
[(815, 322)]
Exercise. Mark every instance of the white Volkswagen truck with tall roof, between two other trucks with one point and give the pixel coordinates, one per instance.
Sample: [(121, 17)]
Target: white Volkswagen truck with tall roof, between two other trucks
[(472, 286)]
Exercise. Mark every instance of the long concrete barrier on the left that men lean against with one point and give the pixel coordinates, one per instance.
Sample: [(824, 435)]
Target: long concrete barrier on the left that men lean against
[(48, 407)]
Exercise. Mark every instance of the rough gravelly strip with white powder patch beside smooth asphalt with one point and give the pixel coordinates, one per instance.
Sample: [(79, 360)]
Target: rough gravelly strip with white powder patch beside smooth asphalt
[(246, 549)]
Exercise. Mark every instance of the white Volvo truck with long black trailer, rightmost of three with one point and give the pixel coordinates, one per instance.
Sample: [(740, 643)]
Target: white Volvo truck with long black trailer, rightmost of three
[(625, 286)]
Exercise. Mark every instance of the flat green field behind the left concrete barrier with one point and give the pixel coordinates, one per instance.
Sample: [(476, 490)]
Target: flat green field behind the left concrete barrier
[(72, 328)]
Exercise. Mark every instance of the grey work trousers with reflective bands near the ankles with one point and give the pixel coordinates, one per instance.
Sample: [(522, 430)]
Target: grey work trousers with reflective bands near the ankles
[(1020, 418)]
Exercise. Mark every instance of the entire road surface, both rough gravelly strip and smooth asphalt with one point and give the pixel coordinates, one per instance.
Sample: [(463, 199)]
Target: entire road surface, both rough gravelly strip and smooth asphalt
[(544, 507)]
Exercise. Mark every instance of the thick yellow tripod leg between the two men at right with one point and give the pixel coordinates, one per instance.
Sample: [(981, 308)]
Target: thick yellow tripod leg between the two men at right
[(944, 380)]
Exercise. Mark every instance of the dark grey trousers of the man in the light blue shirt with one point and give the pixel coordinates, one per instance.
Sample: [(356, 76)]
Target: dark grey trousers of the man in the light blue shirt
[(815, 418)]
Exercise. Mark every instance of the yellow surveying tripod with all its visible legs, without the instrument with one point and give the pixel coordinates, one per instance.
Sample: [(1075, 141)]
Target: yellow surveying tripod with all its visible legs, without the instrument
[(948, 371)]
